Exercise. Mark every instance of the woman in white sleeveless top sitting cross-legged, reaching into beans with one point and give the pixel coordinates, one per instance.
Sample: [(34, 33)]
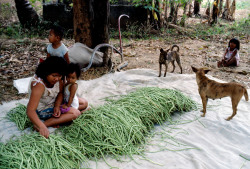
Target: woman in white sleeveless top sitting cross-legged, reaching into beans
[(46, 96)]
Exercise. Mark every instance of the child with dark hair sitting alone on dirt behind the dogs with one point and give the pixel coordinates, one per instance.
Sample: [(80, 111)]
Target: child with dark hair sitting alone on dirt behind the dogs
[(231, 56)]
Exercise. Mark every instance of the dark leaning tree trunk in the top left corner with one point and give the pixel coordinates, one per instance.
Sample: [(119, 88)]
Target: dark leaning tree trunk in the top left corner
[(26, 14)]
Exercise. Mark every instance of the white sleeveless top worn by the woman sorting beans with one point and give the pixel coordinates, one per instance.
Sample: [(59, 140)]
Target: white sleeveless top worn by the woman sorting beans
[(49, 95)]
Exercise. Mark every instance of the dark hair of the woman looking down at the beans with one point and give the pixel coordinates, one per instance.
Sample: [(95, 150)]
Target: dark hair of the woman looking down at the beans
[(51, 65)]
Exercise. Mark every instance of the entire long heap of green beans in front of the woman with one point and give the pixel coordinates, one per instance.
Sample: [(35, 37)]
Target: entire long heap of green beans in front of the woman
[(120, 127)]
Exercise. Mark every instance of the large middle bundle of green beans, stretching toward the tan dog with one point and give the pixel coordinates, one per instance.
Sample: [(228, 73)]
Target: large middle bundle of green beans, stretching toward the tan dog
[(120, 127)]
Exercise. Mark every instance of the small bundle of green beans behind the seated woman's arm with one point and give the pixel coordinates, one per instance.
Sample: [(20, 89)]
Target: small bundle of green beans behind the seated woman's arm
[(18, 116)]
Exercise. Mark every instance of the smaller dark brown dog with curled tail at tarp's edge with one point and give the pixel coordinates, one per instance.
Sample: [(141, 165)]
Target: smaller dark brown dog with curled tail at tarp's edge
[(169, 56)]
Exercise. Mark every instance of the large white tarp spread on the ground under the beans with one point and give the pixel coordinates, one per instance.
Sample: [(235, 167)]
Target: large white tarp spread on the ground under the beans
[(219, 143)]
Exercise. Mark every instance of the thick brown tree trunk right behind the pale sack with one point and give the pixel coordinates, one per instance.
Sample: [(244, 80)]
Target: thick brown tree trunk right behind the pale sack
[(91, 23)]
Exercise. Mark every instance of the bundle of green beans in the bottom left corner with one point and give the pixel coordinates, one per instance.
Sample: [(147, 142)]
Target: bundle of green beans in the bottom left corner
[(34, 151)]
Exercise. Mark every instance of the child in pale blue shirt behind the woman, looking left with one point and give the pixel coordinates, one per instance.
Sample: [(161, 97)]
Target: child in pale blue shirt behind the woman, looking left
[(57, 48)]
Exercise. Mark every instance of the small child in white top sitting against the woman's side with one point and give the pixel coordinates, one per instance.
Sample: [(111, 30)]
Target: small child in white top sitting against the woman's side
[(70, 98)]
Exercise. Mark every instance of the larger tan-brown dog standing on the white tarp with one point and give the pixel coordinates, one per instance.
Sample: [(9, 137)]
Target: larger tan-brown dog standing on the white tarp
[(210, 89)]
